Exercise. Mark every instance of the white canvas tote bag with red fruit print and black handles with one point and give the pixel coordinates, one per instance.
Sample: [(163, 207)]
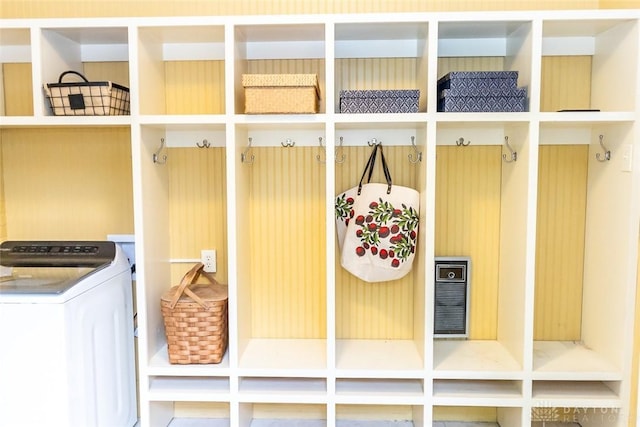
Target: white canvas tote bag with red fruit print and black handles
[(377, 226)]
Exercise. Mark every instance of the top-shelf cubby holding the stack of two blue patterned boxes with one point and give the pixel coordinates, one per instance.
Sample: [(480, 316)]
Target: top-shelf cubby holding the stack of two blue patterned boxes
[(485, 45)]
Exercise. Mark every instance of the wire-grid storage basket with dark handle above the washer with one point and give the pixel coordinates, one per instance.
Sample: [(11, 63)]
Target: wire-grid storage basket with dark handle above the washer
[(87, 98)]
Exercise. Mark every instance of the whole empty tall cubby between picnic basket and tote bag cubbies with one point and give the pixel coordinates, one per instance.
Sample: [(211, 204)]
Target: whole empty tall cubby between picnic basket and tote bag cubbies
[(279, 243)]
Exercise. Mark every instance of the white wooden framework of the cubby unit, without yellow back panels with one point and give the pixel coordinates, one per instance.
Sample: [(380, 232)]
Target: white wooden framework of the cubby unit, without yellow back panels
[(325, 377)]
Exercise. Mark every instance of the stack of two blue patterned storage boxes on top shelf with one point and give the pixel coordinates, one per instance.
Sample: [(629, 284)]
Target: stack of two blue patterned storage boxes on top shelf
[(481, 91)]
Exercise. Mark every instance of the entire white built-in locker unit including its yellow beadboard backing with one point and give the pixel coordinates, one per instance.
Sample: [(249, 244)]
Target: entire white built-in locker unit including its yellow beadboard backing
[(531, 198)]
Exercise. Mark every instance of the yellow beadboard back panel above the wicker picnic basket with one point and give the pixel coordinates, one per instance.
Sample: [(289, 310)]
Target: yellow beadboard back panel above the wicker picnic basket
[(197, 207)]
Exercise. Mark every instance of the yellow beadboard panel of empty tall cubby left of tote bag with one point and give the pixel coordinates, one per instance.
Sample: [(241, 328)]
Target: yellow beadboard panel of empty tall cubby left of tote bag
[(286, 254)]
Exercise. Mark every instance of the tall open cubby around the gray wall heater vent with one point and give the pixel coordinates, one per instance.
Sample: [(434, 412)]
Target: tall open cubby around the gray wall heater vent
[(482, 212)]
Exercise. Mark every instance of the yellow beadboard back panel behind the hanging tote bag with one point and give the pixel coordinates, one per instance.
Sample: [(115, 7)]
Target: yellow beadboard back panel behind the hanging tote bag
[(374, 310)]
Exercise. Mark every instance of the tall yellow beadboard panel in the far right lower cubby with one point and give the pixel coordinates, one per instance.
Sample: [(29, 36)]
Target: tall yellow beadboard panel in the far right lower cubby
[(562, 198)]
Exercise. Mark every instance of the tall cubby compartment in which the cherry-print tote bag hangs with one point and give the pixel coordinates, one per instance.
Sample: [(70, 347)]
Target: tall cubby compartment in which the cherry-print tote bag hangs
[(380, 325)]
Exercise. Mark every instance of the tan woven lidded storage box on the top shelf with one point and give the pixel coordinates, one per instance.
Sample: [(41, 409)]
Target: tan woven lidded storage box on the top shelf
[(281, 93)]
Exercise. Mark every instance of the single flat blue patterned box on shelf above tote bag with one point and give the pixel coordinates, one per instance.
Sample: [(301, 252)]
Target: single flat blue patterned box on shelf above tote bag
[(379, 101)]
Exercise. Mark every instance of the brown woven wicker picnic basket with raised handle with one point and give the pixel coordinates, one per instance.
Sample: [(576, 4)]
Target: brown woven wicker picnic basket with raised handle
[(195, 320)]
